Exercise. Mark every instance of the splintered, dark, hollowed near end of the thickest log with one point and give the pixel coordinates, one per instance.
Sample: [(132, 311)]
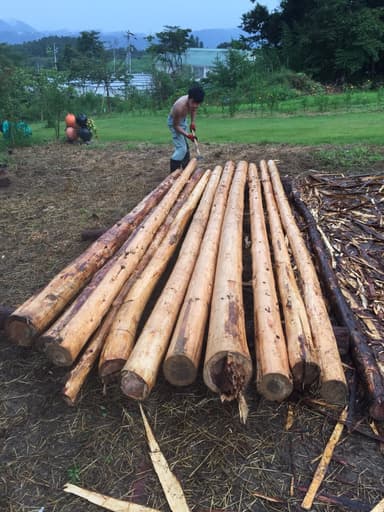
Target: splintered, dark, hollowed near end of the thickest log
[(228, 374)]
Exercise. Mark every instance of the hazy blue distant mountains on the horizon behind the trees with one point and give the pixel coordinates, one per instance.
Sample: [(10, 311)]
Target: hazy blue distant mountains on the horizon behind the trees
[(16, 32)]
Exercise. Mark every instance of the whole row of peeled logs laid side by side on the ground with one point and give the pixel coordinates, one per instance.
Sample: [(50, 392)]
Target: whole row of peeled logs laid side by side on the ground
[(162, 290)]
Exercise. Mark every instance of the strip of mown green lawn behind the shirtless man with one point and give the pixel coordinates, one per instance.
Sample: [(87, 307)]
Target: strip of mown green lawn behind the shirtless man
[(342, 128)]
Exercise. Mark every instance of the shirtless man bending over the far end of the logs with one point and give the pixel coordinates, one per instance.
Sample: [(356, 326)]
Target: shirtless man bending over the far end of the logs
[(177, 123)]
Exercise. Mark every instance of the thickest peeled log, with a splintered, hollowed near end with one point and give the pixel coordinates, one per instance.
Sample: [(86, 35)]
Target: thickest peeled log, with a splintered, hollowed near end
[(228, 365)]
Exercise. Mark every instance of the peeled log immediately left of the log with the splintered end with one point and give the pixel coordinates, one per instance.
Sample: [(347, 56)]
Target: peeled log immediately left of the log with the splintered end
[(183, 357)]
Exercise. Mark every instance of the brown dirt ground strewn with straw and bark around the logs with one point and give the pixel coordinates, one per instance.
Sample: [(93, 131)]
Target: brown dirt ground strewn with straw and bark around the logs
[(56, 192)]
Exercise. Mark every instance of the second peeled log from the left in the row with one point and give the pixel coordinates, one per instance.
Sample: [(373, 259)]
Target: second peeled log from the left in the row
[(67, 337)]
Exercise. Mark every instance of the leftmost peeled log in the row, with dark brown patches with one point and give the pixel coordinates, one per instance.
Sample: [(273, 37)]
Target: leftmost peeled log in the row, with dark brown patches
[(40, 310)]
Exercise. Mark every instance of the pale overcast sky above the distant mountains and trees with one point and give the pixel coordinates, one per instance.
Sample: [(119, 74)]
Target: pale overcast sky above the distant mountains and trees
[(147, 16)]
